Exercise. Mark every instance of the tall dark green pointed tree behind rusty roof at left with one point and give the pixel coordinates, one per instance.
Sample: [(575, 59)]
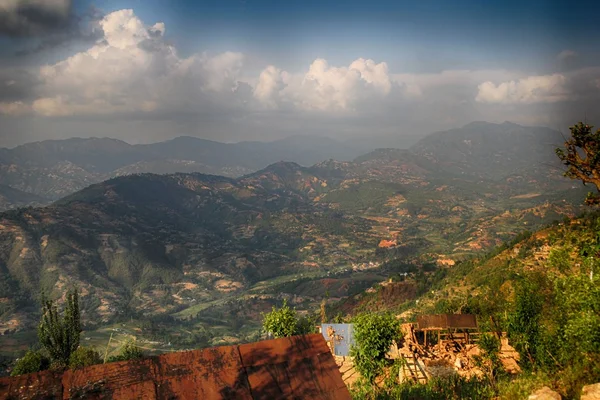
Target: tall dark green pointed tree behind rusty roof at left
[(60, 335)]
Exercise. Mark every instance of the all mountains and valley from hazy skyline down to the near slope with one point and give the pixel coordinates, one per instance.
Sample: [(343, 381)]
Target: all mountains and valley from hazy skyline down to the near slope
[(199, 247)]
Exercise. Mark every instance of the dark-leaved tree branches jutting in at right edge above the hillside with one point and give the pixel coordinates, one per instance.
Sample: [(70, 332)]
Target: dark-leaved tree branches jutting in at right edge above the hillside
[(582, 157)]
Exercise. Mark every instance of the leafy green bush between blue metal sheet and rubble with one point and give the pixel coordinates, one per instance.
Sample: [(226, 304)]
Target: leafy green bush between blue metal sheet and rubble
[(373, 336)]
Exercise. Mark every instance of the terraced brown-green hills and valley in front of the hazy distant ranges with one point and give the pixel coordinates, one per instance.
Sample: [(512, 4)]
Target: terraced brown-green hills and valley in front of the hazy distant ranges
[(203, 246)]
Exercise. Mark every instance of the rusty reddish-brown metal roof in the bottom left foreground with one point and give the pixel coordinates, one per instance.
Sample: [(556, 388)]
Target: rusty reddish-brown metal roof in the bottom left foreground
[(299, 367)]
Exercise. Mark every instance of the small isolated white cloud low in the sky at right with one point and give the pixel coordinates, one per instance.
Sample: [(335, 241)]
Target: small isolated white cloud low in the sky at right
[(533, 89)]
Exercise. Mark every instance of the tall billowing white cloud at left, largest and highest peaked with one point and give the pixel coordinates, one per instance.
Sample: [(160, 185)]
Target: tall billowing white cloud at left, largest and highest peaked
[(132, 70)]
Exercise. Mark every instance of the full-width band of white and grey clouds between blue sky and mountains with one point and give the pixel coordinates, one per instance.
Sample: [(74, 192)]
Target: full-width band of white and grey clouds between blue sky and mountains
[(131, 73)]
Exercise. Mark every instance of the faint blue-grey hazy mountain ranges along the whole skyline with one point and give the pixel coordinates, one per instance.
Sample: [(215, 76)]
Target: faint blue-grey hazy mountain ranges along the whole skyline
[(49, 170)]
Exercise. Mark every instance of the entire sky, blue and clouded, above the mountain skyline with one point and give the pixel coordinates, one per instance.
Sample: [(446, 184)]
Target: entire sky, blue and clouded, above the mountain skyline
[(234, 70)]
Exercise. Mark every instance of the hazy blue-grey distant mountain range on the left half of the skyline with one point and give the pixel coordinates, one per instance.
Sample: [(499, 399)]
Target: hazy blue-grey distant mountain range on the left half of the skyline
[(55, 168)]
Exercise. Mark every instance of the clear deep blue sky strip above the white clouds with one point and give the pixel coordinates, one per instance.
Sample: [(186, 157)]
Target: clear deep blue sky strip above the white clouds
[(476, 32)]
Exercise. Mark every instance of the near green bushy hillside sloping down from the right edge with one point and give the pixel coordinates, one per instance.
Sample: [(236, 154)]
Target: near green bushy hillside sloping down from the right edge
[(541, 289)]
